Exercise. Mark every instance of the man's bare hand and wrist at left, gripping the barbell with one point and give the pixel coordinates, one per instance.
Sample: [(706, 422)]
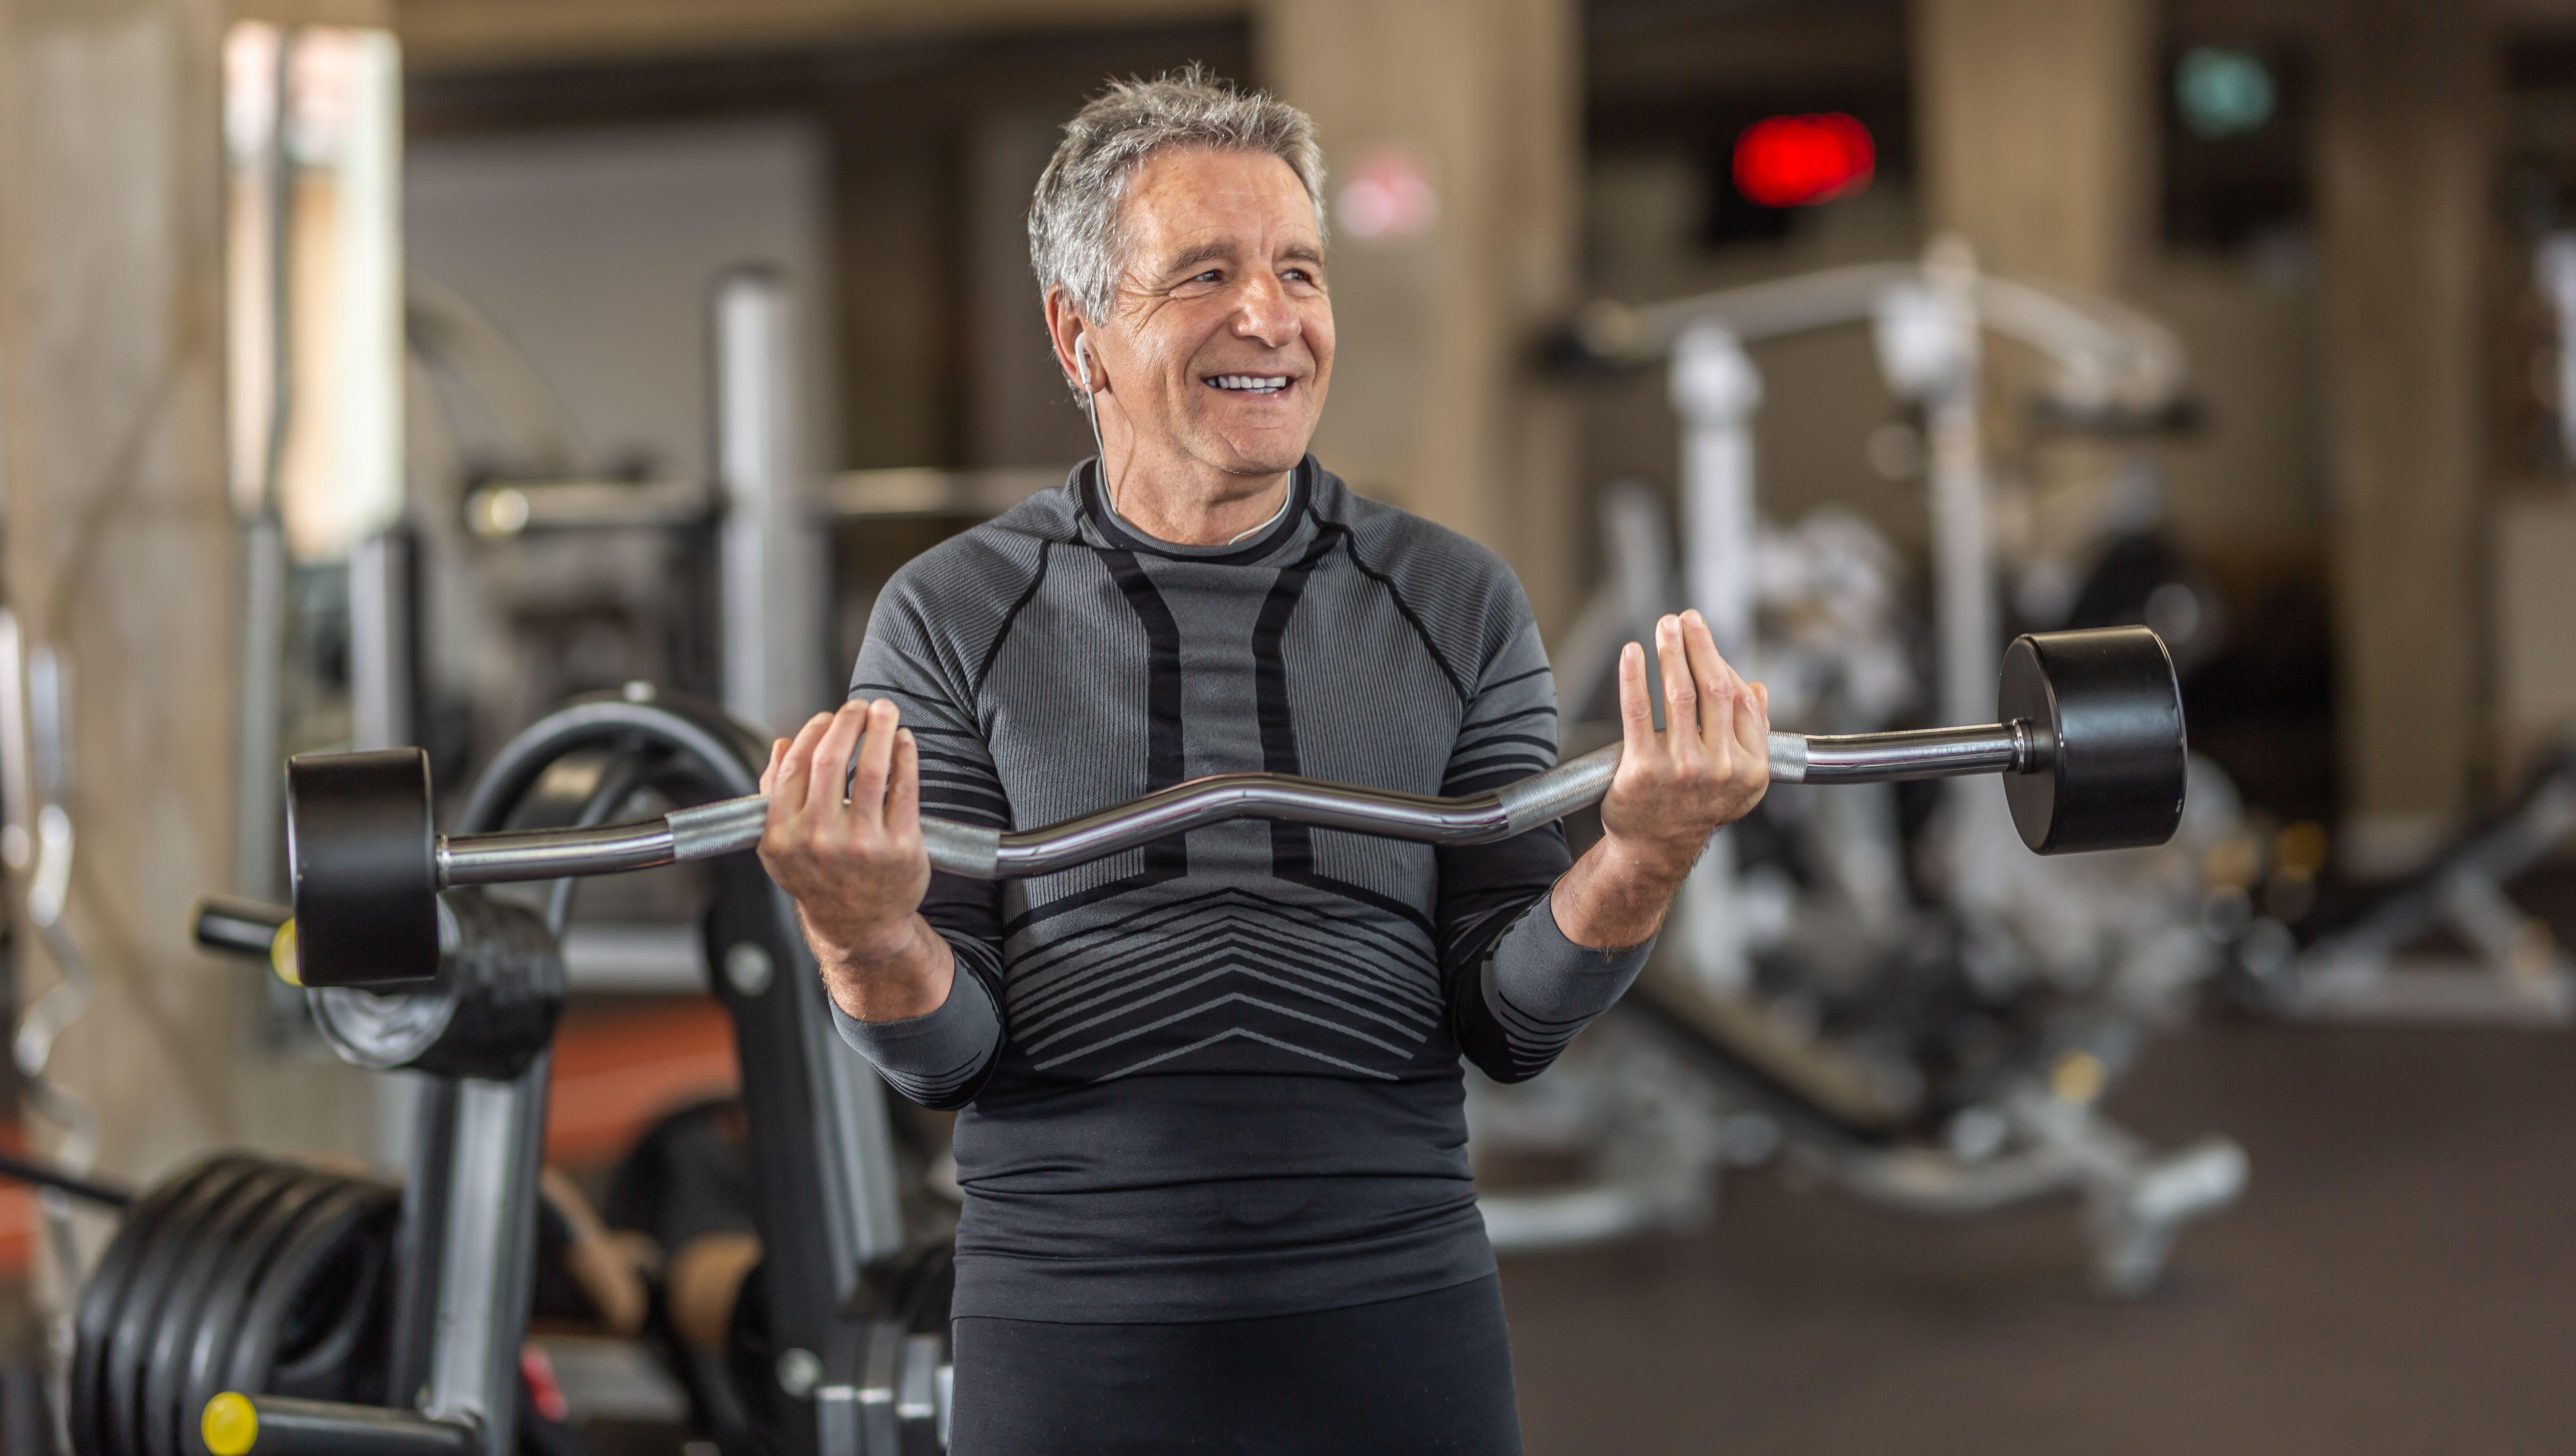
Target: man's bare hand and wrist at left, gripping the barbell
[(846, 841)]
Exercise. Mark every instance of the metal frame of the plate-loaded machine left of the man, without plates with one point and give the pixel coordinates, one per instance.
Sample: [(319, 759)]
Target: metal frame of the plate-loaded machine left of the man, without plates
[(854, 1308)]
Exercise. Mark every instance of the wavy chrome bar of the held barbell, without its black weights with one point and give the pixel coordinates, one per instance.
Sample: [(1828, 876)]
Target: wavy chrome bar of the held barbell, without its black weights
[(733, 826)]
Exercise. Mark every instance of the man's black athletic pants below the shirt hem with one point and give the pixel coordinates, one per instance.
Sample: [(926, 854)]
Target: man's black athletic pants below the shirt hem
[(1408, 1377)]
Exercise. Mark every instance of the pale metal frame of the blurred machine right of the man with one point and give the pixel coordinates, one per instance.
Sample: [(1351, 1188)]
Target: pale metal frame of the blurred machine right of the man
[(2031, 1140)]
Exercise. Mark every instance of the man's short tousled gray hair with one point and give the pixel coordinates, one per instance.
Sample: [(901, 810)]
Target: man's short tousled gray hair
[(1073, 223)]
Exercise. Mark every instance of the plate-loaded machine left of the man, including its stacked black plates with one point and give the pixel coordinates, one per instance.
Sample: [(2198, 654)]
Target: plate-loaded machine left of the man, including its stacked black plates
[(259, 1308)]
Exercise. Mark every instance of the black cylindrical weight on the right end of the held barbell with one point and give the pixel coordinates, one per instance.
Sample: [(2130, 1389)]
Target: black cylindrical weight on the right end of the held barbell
[(2119, 759)]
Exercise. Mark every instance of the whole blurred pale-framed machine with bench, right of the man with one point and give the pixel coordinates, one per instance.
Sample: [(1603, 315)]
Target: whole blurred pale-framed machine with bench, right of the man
[(1758, 1024)]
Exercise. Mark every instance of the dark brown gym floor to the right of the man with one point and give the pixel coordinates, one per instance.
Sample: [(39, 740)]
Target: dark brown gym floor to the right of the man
[(2400, 1277)]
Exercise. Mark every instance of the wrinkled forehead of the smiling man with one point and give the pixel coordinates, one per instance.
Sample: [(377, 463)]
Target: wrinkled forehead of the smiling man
[(1199, 200)]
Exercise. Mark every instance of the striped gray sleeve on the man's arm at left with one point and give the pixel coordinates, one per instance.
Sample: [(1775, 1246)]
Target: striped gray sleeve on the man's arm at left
[(944, 1058)]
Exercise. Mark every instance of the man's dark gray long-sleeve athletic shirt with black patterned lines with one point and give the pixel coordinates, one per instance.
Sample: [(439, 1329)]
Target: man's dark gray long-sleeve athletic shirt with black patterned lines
[(1217, 1076)]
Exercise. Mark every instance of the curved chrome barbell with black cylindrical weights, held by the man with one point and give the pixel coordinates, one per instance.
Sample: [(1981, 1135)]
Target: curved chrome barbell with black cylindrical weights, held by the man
[(2090, 749)]
